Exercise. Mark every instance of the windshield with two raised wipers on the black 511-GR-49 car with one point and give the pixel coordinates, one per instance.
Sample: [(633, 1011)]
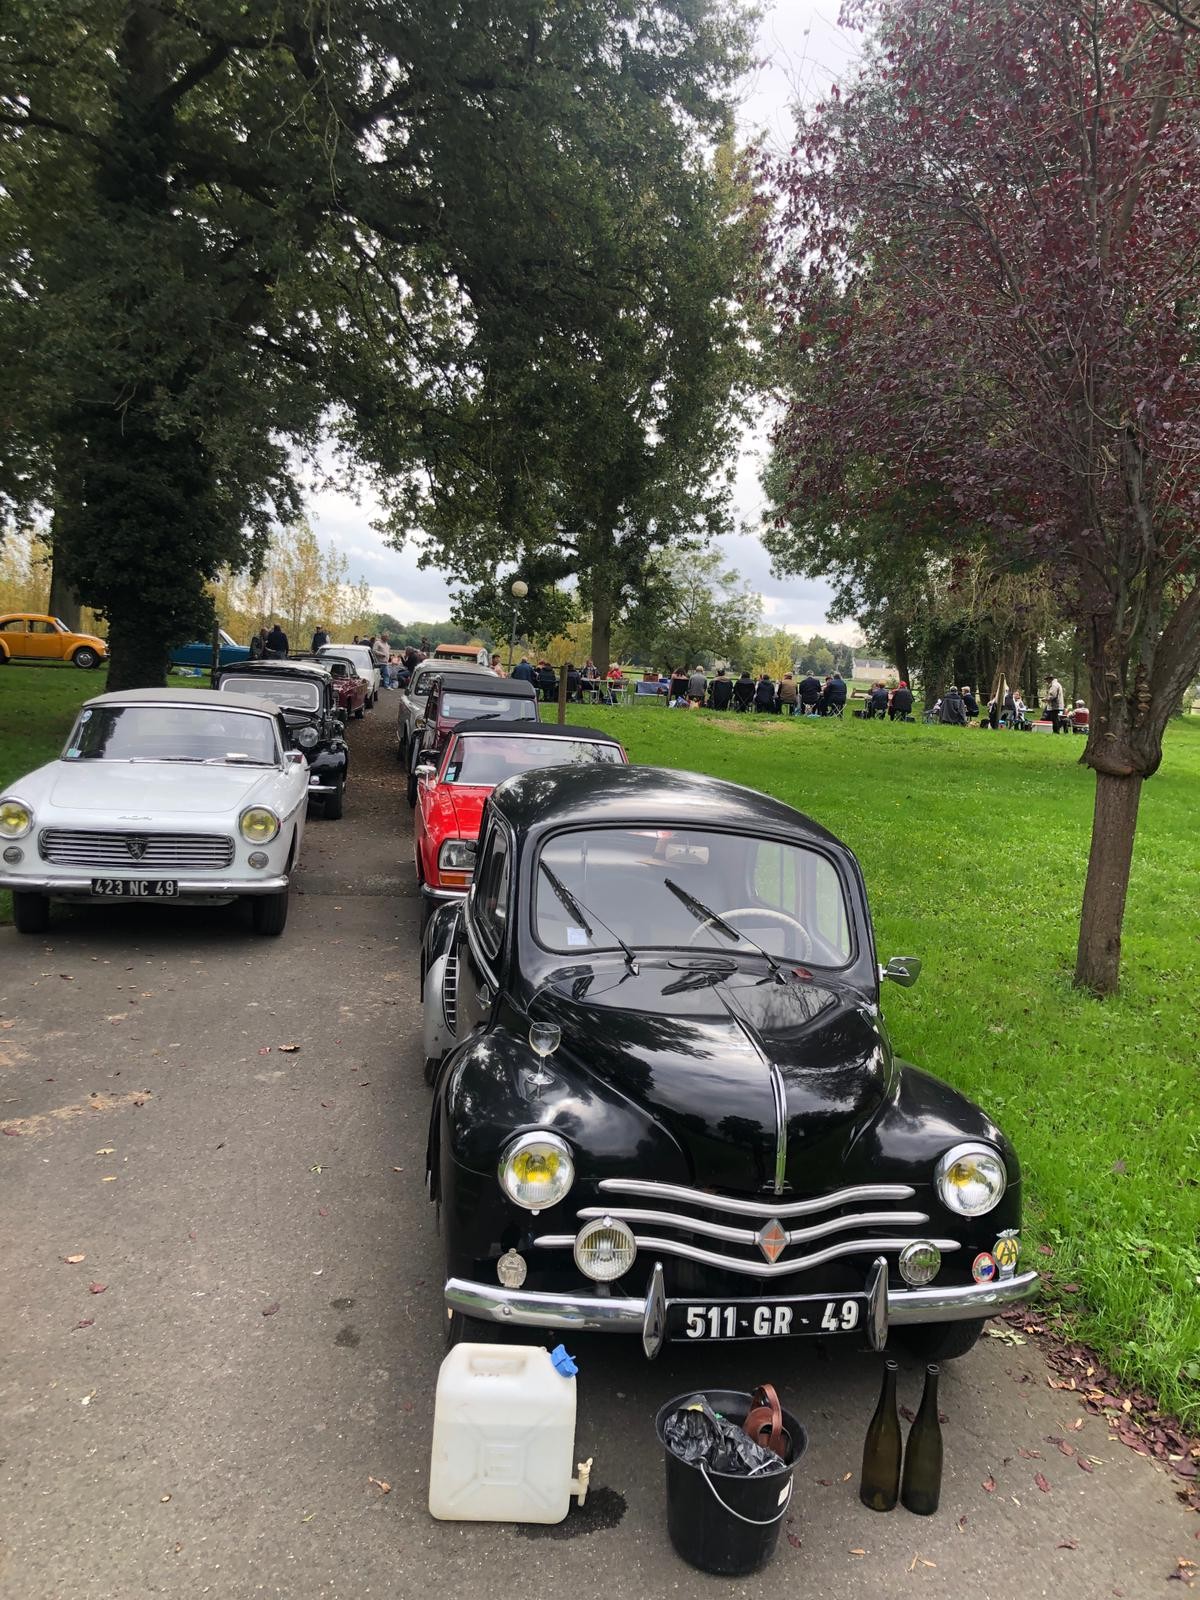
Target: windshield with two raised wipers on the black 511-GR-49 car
[(690, 889)]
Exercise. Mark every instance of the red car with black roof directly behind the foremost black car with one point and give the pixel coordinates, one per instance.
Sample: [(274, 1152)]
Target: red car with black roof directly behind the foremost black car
[(452, 791)]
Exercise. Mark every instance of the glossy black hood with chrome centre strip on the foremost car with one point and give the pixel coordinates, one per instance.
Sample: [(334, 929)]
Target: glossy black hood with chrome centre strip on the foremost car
[(698, 1049)]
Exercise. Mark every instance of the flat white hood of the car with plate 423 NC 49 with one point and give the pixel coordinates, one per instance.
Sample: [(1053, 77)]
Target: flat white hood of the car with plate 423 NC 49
[(153, 790)]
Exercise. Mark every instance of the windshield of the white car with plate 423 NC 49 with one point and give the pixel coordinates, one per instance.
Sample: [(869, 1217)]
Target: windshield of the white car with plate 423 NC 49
[(172, 734)]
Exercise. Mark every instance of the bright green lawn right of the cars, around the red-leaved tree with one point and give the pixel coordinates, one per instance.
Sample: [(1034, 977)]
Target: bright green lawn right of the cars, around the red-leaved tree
[(975, 849)]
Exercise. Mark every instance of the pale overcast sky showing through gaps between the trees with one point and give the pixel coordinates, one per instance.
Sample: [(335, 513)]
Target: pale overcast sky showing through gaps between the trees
[(801, 54)]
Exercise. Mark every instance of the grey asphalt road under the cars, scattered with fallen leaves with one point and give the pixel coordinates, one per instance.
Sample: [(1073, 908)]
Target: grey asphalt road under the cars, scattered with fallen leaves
[(201, 1404)]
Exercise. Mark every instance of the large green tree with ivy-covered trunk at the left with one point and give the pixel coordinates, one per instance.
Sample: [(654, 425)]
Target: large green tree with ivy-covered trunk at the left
[(238, 228)]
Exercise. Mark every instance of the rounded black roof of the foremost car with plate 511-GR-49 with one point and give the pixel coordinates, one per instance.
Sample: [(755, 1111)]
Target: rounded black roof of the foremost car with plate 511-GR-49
[(646, 796)]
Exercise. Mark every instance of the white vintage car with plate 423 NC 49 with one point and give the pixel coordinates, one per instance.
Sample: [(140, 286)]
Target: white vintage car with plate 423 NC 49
[(159, 796)]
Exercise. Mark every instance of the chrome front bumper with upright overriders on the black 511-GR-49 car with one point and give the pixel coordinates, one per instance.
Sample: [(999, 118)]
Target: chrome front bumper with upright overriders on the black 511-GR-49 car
[(649, 1316)]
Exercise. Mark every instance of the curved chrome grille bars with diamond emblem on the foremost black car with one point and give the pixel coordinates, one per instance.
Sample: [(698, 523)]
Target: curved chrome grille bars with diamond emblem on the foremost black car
[(860, 1207)]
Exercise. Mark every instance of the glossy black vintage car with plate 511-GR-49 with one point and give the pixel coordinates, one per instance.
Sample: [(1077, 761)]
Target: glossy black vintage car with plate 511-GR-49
[(666, 1102)]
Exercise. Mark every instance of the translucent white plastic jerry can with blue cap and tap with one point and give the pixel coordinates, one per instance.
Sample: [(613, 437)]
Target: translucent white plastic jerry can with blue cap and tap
[(503, 1438)]
